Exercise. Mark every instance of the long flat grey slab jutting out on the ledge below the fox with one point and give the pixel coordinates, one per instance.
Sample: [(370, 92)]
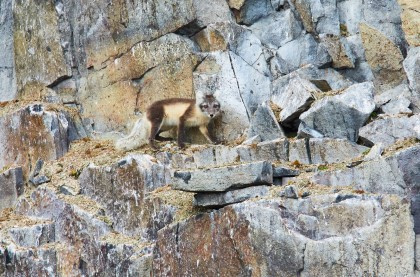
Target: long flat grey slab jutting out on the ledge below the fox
[(223, 178)]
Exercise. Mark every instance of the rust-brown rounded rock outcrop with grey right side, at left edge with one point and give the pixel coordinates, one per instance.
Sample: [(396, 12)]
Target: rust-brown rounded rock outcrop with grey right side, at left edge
[(36, 132)]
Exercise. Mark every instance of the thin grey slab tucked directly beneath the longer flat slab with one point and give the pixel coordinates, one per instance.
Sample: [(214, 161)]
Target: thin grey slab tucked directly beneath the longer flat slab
[(220, 199)]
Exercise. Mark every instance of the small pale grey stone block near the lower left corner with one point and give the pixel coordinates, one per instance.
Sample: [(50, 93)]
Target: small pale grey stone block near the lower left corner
[(33, 236)]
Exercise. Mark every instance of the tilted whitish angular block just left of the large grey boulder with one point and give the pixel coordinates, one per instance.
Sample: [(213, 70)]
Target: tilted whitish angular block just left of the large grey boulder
[(294, 99)]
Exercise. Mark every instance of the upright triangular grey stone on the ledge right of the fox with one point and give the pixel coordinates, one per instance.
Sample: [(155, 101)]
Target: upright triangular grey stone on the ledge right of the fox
[(264, 124)]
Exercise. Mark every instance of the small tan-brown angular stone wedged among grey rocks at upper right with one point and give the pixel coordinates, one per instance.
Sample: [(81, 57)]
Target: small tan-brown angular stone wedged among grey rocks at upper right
[(339, 50)]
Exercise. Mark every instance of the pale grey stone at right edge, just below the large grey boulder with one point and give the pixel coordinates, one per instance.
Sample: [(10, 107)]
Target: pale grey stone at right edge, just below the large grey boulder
[(390, 129)]
